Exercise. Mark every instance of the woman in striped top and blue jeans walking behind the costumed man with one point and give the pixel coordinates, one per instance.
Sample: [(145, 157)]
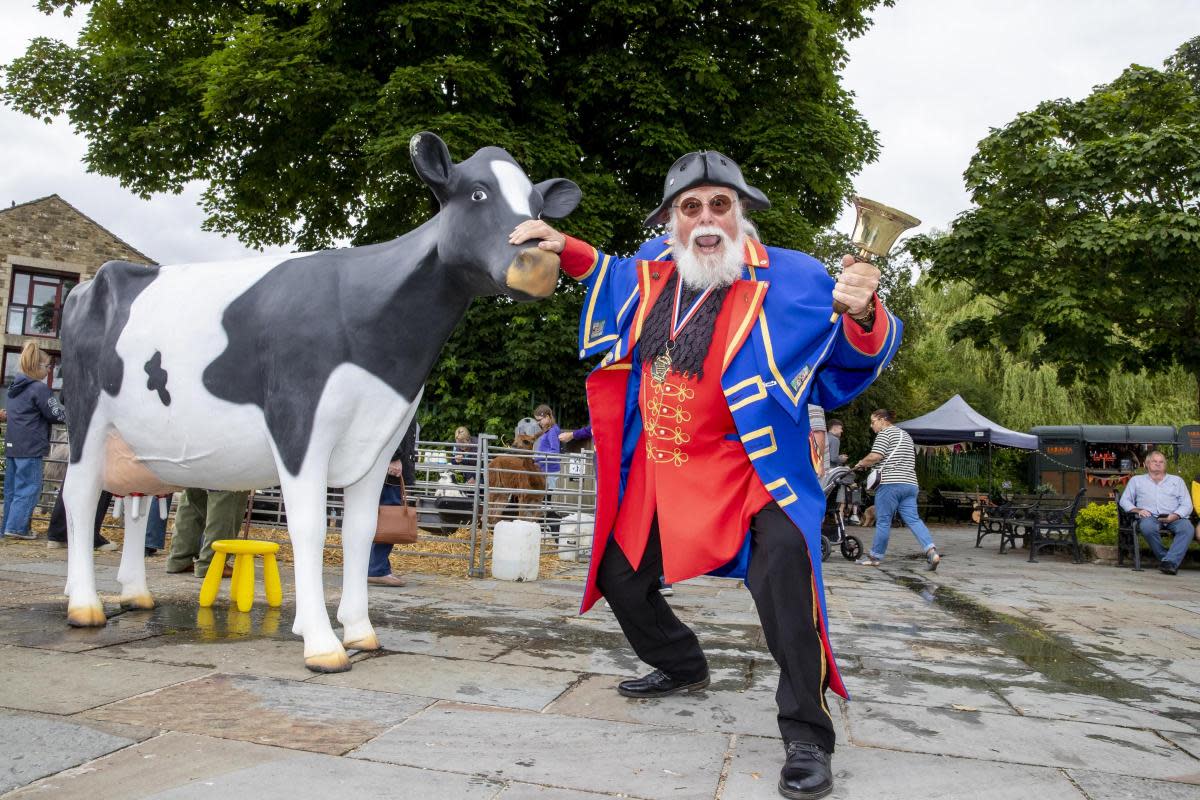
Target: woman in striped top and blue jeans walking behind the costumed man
[(897, 456)]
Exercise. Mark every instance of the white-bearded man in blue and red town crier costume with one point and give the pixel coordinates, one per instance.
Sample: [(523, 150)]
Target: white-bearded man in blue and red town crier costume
[(715, 346)]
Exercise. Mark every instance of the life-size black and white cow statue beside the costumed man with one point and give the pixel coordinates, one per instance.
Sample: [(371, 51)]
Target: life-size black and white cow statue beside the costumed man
[(301, 372)]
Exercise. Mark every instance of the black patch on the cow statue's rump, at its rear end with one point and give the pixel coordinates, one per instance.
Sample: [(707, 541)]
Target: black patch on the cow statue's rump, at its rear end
[(93, 320)]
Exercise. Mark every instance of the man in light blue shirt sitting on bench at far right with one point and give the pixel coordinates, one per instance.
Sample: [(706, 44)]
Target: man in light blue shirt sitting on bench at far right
[(1161, 501)]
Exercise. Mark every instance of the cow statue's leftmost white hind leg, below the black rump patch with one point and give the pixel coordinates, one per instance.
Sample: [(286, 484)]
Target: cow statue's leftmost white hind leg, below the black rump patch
[(81, 494)]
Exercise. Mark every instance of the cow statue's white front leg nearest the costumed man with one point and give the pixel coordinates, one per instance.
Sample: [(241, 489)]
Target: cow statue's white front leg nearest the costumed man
[(358, 532)]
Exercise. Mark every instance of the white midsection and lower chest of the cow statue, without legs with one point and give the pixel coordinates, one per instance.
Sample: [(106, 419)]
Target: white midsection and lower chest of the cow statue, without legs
[(201, 441)]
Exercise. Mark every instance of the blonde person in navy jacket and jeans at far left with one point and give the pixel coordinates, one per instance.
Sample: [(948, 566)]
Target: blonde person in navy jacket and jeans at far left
[(32, 410)]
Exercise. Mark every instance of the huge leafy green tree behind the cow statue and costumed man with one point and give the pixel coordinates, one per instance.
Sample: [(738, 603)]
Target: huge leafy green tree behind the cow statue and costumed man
[(297, 116)]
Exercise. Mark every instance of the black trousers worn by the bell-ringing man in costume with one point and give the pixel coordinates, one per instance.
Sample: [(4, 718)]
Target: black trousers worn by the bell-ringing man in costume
[(781, 581)]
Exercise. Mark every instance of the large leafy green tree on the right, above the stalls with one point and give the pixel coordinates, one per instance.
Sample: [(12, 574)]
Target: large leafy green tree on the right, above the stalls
[(1087, 232)]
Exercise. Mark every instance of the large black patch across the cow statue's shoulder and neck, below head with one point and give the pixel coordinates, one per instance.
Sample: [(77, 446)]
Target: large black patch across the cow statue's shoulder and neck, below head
[(388, 309)]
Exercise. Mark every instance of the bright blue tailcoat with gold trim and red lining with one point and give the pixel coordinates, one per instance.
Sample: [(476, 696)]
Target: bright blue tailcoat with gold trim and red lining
[(782, 354)]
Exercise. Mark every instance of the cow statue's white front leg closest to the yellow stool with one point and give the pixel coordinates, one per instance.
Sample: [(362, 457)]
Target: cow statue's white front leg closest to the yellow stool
[(305, 501)]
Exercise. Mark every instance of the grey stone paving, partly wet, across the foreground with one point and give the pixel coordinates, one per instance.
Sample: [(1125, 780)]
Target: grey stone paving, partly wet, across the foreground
[(993, 678)]
